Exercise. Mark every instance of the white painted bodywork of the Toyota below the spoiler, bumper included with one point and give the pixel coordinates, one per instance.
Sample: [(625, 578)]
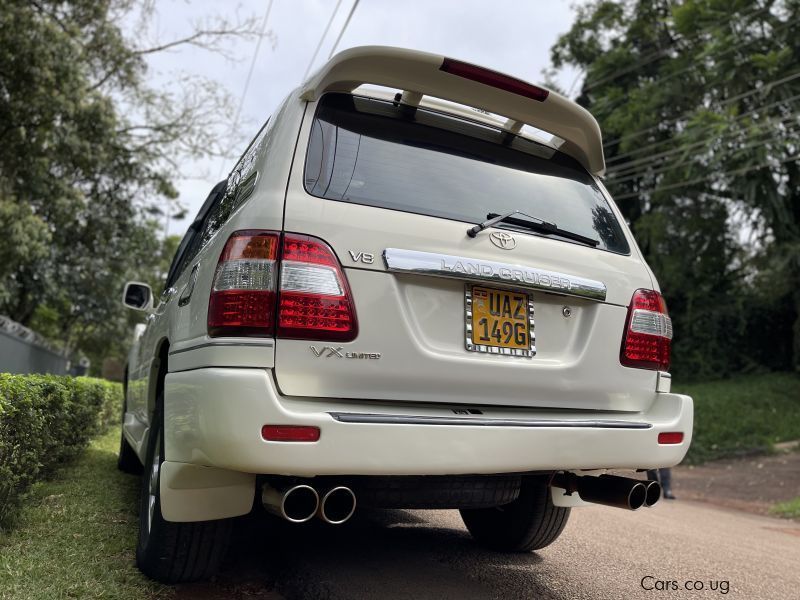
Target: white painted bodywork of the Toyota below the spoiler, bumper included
[(405, 397)]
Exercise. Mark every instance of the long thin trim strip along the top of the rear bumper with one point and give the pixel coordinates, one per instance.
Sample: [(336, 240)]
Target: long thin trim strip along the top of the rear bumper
[(485, 422)]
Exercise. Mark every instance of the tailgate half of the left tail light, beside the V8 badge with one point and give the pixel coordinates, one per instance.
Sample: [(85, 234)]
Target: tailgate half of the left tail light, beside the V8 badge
[(315, 300)]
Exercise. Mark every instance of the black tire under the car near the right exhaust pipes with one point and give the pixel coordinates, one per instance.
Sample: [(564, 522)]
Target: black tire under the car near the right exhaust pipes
[(529, 523)]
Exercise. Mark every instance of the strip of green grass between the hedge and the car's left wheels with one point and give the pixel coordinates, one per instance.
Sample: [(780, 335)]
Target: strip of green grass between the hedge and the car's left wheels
[(76, 536)]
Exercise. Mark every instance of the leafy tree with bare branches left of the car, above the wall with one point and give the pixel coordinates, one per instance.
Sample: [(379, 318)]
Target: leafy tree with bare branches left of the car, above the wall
[(88, 152)]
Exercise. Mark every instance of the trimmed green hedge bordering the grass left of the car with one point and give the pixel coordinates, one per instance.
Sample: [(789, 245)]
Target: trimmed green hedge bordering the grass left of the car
[(45, 421)]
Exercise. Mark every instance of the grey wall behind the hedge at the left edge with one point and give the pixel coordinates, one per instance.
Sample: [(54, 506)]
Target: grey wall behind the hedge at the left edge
[(22, 351)]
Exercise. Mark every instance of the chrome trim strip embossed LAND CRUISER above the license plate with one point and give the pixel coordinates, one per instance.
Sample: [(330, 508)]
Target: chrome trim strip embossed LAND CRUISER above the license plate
[(474, 269)]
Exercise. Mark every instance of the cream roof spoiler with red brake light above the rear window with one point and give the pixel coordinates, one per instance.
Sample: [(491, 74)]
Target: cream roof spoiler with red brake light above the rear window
[(422, 73)]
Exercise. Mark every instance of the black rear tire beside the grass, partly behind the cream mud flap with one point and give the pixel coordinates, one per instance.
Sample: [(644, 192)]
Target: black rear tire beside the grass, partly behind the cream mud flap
[(174, 552)]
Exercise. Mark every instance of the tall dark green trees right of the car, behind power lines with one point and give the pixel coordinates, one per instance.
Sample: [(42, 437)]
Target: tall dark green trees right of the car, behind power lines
[(698, 102)]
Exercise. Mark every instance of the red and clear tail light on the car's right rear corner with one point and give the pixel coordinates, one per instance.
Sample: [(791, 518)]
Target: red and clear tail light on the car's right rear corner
[(648, 332)]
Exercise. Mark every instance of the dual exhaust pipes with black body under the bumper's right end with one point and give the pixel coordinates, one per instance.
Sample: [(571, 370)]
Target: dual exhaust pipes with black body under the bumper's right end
[(610, 490)]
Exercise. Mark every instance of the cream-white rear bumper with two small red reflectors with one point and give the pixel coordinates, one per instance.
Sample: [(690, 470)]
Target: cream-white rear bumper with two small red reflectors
[(213, 418)]
